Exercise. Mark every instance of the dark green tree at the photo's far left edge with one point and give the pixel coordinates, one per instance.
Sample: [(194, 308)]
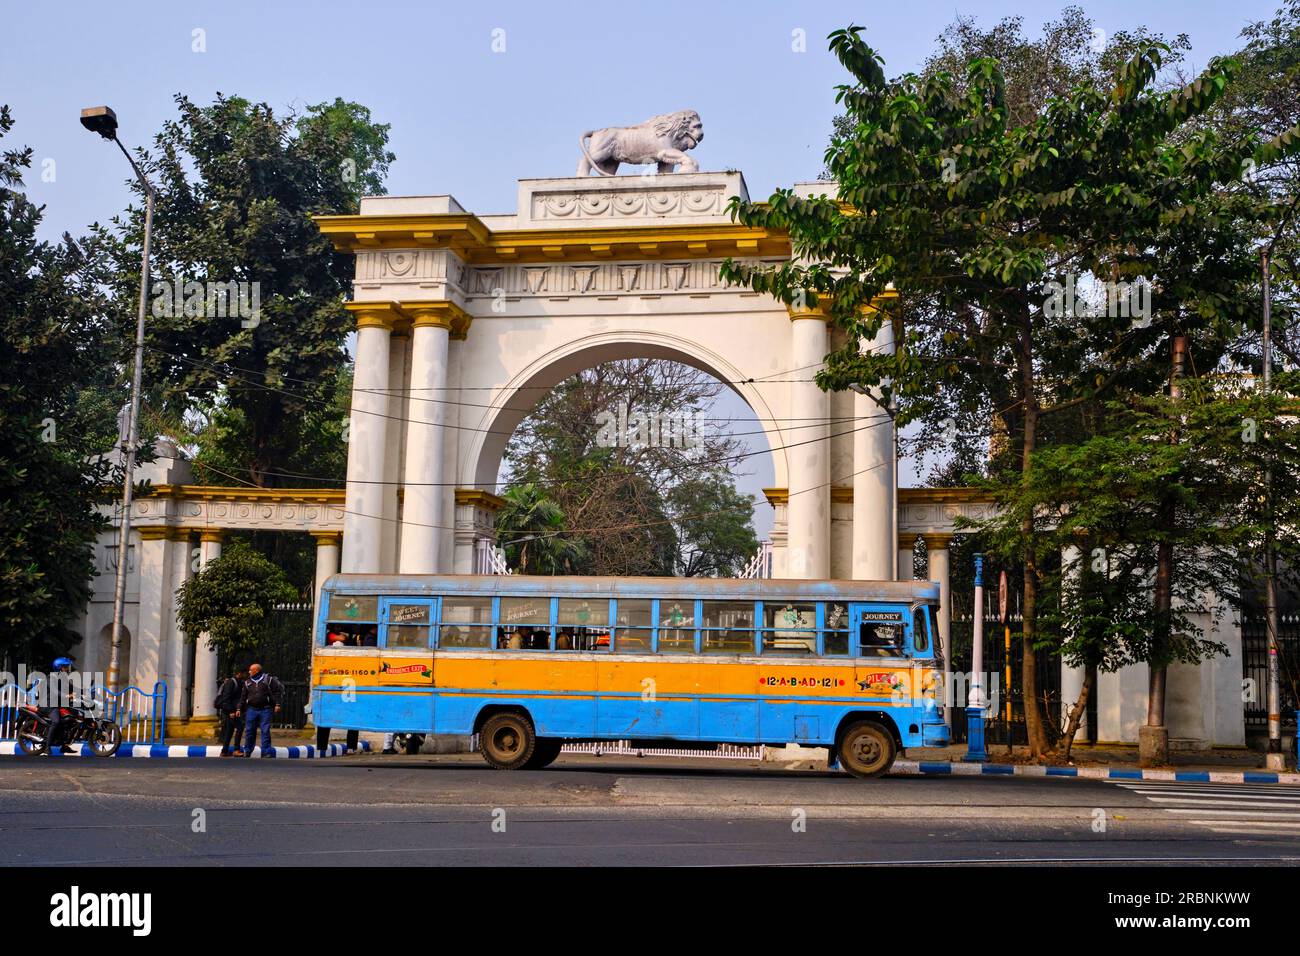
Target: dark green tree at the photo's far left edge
[(58, 405)]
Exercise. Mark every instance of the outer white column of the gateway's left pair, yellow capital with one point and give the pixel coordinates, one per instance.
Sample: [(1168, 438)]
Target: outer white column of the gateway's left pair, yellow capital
[(367, 451)]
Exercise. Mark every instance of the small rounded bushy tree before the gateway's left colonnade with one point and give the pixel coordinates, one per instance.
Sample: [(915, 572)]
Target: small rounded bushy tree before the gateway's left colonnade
[(232, 598)]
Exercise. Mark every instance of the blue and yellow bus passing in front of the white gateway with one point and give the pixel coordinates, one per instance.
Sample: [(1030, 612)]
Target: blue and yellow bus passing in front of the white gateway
[(528, 664)]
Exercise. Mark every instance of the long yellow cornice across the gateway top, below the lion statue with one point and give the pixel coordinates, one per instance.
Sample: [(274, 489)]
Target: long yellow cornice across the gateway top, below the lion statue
[(475, 243)]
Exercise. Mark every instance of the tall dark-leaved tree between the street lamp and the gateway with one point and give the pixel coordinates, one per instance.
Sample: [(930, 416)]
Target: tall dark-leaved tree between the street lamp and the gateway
[(236, 189)]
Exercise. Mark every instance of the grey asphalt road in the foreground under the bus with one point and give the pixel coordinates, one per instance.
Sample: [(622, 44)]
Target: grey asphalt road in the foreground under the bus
[(454, 811)]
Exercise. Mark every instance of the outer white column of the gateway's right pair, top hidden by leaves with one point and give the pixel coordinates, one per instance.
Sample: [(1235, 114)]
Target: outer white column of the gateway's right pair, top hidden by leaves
[(876, 478)]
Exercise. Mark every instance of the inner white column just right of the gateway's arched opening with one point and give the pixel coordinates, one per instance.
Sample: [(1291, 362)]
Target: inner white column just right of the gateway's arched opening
[(809, 509)]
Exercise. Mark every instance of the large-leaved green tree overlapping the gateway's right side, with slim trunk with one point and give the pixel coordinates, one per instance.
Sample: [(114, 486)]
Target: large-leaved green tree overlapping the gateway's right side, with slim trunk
[(980, 224)]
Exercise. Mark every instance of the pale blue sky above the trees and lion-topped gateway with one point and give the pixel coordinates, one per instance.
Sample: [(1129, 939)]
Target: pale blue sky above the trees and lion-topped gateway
[(471, 122)]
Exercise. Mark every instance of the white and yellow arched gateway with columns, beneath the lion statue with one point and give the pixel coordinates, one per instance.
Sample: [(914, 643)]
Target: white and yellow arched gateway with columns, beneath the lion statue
[(463, 319)]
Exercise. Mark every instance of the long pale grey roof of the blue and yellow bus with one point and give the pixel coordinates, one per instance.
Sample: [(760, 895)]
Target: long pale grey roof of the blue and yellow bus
[(709, 589)]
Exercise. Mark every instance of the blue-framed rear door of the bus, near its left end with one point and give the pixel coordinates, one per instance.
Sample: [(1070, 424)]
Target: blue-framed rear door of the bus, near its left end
[(406, 663)]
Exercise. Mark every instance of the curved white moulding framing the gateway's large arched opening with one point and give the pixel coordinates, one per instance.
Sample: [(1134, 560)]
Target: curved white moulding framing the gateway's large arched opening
[(487, 440)]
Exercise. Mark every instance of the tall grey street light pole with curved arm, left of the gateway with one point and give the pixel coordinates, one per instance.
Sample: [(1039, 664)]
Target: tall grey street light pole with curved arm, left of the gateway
[(103, 122)]
